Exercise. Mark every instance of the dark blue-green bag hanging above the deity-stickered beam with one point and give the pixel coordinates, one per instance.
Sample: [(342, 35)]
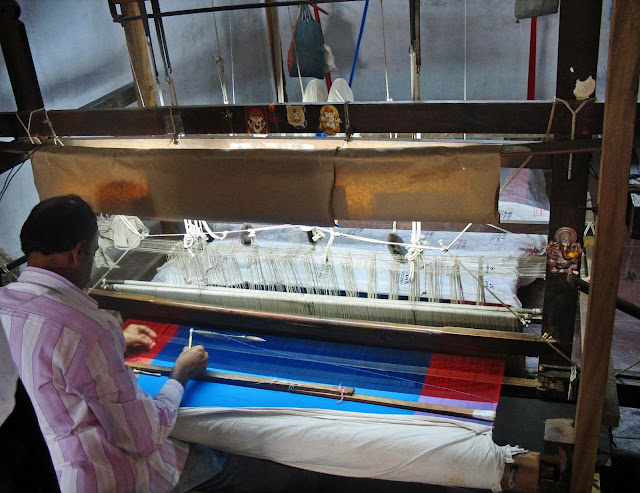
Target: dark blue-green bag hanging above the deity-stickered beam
[(307, 48)]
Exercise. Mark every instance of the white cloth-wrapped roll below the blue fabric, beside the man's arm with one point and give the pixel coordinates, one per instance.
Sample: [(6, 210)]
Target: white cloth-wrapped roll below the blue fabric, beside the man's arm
[(394, 447)]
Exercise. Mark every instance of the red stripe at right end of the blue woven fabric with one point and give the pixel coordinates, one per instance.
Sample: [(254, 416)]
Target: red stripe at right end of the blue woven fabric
[(464, 378)]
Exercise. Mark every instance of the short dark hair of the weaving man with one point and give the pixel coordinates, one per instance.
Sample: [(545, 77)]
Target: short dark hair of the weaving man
[(57, 225)]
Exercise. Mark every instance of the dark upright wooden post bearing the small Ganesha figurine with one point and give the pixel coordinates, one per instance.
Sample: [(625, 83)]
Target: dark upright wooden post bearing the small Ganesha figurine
[(578, 40)]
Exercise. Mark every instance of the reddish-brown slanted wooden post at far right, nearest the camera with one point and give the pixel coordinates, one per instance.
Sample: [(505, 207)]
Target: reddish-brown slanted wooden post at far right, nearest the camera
[(619, 122)]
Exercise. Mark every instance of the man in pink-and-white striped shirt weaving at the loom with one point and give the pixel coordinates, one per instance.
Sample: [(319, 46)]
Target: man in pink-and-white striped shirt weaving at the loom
[(103, 432)]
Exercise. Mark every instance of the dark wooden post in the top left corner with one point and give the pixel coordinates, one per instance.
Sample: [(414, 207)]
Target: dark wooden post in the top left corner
[(17, 57)]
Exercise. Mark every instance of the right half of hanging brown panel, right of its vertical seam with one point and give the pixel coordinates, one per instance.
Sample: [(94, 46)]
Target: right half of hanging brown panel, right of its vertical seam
[(418, 184)]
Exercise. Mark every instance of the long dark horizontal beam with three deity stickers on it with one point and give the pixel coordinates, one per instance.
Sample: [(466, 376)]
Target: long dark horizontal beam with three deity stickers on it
[(505, 118)]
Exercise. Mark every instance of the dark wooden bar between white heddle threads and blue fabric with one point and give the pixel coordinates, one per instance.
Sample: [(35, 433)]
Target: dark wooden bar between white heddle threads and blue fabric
[(401, 336)]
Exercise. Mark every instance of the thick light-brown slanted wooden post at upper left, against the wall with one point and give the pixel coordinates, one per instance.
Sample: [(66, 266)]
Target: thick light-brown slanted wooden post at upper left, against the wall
[(143, 78)]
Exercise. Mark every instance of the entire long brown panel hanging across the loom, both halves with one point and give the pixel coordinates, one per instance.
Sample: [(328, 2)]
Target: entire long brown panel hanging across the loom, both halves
[(279, 185)]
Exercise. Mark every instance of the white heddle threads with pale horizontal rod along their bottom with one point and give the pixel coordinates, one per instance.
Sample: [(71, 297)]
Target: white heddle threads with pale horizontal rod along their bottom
[(304, 280)]
